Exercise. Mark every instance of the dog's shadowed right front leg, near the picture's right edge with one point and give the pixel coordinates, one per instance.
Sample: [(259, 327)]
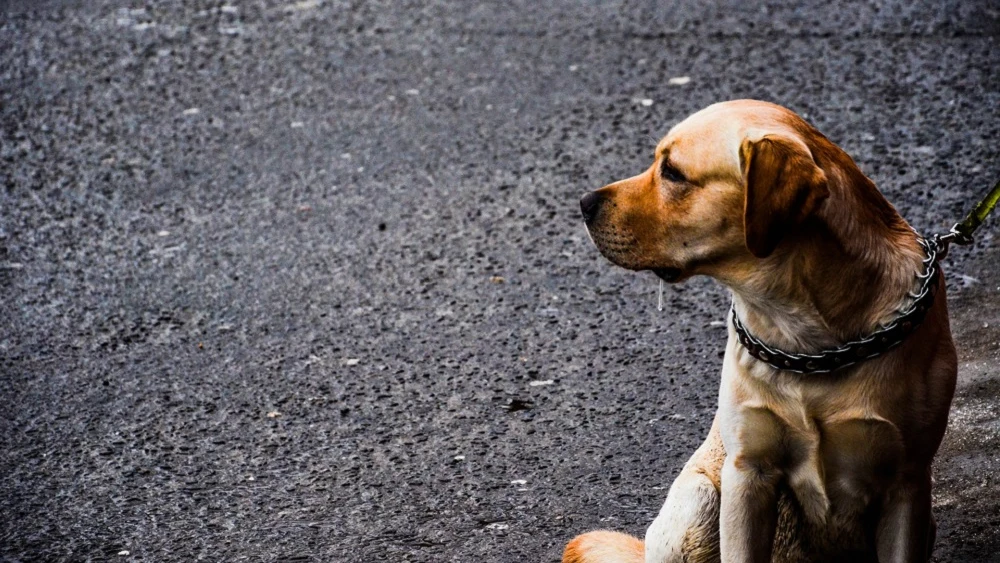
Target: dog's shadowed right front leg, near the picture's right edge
[(905, 527)]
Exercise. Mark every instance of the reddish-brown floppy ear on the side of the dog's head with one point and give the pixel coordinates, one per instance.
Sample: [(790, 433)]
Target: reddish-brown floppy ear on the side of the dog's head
[(784, 186)]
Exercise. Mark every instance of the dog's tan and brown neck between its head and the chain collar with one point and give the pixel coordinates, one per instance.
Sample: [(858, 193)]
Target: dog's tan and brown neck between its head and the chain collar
[(842, 274)]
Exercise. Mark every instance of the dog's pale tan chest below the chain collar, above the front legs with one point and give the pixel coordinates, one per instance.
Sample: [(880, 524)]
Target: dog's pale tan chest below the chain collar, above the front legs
[(835, 447)]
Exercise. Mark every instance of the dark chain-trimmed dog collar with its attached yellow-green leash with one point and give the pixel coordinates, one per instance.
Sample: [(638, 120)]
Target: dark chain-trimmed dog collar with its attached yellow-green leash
[(888, 336)]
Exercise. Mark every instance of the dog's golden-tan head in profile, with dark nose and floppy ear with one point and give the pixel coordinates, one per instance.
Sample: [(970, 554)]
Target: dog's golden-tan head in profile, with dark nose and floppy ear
[(726, 187)]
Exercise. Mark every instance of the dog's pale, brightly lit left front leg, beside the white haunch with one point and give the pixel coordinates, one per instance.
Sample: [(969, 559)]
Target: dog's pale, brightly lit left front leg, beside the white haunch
[(749, 510)]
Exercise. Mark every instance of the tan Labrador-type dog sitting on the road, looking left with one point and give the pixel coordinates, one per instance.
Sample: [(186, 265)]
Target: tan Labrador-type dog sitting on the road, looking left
[(797, 467)]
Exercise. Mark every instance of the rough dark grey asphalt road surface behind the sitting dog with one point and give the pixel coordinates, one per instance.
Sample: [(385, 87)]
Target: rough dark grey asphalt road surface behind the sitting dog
[(289, 282)]
